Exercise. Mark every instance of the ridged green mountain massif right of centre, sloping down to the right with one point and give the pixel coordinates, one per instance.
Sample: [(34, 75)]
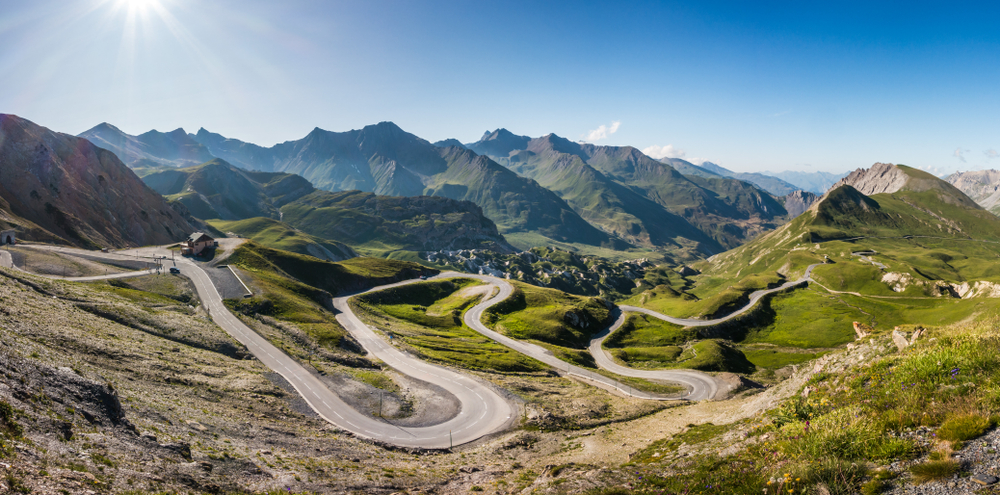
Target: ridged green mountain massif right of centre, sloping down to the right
[(640, 199)]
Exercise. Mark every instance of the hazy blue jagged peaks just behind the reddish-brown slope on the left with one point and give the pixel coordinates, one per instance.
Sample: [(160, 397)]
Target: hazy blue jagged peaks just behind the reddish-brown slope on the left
[(151, 149)]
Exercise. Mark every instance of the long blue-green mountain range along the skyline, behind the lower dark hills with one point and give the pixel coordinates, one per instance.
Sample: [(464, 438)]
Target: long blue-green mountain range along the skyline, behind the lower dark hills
[(568, 192)]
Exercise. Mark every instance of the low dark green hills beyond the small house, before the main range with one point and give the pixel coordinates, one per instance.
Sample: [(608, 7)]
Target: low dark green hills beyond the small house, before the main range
[(258, 200)]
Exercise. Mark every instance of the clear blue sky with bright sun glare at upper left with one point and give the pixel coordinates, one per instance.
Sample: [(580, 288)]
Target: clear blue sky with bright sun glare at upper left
[(749, 85)]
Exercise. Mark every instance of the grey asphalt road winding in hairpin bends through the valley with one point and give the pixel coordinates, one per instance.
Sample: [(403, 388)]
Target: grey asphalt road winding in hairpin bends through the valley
[(483, 410)]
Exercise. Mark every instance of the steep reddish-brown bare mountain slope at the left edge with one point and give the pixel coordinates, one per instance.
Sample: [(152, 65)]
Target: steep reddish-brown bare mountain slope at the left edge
[(56, 185)]
